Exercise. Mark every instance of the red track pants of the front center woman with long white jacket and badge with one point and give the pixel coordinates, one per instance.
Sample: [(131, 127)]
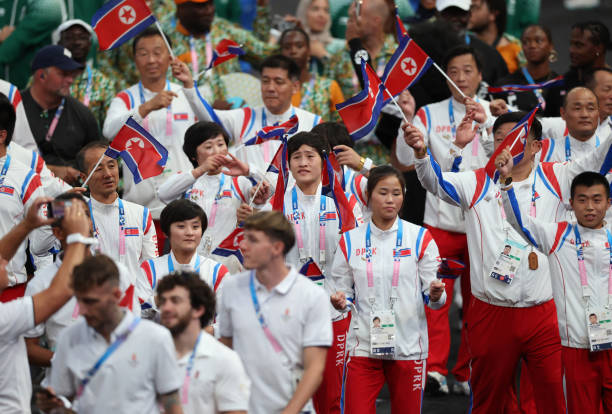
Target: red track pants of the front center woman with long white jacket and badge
[(366, 377)]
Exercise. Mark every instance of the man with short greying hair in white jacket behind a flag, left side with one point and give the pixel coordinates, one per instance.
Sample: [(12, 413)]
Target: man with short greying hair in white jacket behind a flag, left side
[(124, 229)]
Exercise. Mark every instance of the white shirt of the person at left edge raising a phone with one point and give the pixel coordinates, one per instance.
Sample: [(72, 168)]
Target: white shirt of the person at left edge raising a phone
[(16, 318)]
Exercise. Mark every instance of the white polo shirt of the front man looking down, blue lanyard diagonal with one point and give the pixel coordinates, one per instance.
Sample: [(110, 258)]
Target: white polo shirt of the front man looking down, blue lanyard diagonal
[(129, 381)]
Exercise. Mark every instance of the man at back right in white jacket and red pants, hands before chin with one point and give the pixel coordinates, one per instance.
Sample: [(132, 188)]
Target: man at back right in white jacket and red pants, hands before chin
[(438, 123)]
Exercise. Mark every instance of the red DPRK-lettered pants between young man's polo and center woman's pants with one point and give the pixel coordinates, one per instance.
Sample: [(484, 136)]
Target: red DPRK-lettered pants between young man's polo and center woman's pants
[(326, 399)]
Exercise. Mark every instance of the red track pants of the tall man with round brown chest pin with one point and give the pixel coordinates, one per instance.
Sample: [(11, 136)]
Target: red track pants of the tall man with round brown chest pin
[(497, 338)]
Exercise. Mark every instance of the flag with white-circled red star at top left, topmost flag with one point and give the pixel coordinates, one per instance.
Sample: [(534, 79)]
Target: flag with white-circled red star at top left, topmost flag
[(117, 21)]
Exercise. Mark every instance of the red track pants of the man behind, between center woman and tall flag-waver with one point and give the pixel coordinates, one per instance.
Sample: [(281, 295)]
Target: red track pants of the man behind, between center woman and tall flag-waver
[(451, 246)]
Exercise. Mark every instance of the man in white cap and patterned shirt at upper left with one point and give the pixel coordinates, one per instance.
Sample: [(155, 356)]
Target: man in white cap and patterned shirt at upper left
[(91, 87)]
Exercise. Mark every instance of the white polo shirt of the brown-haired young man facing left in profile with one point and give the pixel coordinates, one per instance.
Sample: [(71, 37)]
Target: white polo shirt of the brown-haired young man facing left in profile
[(297, 313)]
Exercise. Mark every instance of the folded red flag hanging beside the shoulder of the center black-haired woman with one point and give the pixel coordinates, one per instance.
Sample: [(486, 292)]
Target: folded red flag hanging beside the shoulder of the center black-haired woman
[(331, 182)]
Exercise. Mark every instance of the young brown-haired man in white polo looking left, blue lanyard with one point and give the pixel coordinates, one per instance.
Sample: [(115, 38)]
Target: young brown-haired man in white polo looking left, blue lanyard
[(283, 337)]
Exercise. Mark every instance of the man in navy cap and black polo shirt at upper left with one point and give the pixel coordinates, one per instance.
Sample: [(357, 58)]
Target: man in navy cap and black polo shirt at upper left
[(61, 125)]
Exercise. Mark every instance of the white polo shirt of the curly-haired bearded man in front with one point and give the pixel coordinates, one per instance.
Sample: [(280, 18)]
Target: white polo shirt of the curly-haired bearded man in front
[(218, 382)]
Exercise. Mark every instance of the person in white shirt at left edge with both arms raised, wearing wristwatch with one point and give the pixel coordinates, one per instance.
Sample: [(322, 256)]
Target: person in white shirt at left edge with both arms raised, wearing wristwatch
[(21, 315)]
